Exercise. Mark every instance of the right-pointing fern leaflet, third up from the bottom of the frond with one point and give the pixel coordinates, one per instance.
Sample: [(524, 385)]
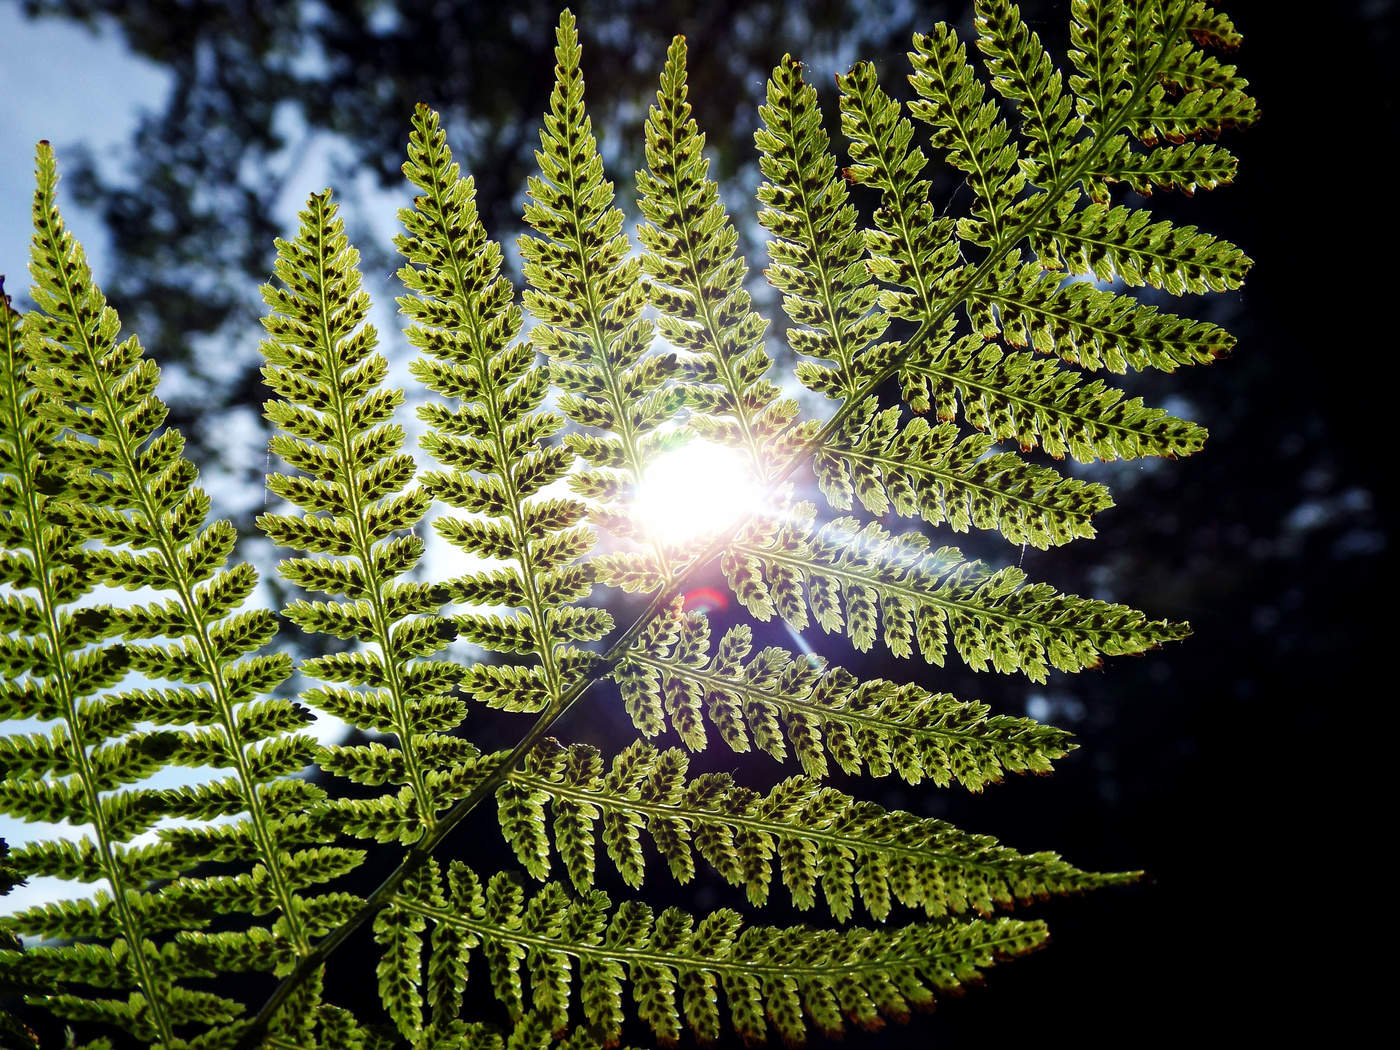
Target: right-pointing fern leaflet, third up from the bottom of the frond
[(772, 701)]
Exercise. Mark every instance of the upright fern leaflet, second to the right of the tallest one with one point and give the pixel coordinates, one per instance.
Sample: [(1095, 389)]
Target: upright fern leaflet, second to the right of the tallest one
[(817, 247)]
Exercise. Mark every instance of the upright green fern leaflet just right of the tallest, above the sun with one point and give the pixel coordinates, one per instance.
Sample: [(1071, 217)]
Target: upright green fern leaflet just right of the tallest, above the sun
[(696, 281)]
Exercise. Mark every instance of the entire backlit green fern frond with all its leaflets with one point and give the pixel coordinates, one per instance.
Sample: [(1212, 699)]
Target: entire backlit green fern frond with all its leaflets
[(946, 352)]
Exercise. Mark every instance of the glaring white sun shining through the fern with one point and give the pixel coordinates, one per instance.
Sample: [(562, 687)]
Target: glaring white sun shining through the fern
[(694, 491)]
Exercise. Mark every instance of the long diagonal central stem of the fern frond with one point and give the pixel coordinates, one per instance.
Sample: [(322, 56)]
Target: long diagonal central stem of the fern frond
[(418, 855)]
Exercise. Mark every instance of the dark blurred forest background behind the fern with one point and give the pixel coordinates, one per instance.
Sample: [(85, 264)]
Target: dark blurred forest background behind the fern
[(1240, 768)]
